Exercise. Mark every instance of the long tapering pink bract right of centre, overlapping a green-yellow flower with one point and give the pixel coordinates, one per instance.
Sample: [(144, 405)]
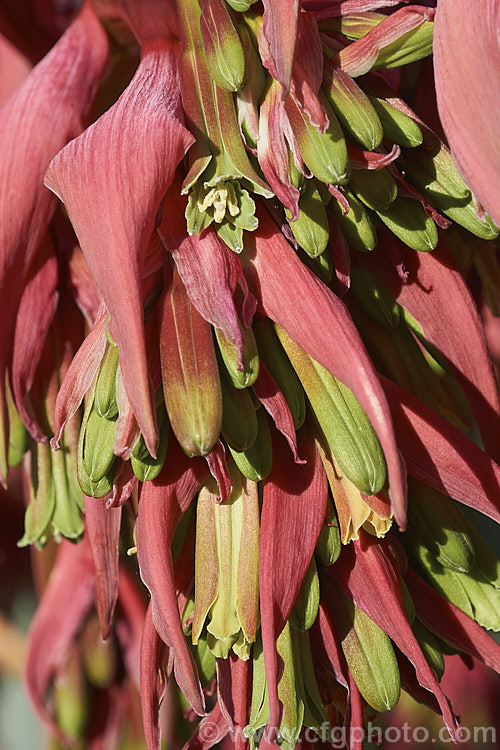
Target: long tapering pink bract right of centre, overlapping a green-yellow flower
[(299, 302)]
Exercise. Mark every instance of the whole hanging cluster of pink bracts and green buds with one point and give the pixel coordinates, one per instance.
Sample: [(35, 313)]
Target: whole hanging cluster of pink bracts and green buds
[(239, 358)]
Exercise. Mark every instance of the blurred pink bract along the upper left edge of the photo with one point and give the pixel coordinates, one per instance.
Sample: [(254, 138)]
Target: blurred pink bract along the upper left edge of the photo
[(41, 116)]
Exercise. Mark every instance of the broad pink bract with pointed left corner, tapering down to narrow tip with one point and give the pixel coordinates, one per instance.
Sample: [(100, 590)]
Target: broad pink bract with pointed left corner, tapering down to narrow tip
[(128, 192)]
